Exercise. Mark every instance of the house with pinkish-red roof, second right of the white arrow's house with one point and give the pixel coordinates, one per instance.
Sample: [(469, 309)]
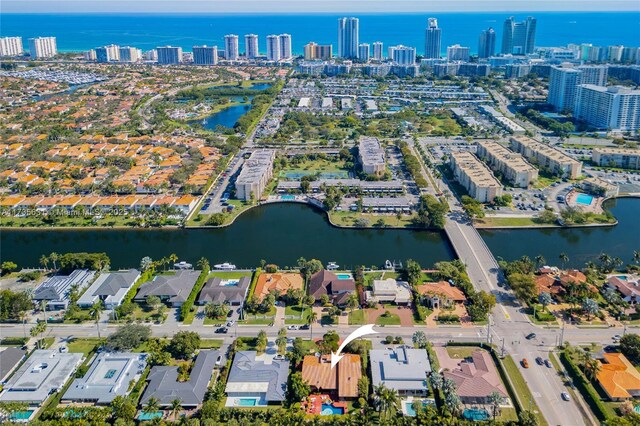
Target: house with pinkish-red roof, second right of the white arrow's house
[(476, 379)]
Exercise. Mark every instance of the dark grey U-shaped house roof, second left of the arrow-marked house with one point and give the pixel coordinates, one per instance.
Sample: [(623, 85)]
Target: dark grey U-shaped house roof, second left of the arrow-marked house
[(165, 387)]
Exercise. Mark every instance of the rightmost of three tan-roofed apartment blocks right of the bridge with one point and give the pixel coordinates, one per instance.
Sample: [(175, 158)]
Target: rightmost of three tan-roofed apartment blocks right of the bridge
[(547, 157)]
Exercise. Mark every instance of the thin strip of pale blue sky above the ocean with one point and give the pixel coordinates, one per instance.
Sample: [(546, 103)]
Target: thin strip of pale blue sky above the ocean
[(311, 6)]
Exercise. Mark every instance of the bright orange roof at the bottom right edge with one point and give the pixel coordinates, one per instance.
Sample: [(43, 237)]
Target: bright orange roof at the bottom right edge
[(618, 377)]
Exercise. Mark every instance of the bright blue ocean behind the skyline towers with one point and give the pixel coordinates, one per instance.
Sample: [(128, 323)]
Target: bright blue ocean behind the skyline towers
[(84, 31)]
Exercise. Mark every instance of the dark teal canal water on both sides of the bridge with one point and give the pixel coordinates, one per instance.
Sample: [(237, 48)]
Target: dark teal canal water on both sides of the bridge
[(281, 233)]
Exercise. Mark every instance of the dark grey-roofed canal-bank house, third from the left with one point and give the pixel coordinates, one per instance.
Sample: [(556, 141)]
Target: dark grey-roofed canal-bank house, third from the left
[(171, 288)]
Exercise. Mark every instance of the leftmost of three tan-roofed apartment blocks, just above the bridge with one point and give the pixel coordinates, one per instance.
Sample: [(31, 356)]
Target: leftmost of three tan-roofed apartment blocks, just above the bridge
[(475, 176)]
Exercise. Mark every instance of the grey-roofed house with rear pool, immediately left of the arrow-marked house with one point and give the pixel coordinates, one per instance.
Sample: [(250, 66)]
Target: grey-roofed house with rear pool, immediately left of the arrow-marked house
[(256, 380)]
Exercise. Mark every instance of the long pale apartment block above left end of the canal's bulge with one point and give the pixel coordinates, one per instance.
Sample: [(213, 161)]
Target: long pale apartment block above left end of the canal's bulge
[(256, 173)]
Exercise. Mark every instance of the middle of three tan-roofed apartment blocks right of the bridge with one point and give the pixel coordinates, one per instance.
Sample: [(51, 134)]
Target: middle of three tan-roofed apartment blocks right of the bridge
[(512, 166)]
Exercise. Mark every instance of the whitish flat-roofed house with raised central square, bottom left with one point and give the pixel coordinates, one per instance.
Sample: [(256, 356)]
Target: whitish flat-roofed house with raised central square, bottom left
[(109, 375)]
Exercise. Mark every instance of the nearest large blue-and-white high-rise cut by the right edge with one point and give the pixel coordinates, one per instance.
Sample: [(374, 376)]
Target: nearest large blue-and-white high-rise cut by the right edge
[(610, 108)]
